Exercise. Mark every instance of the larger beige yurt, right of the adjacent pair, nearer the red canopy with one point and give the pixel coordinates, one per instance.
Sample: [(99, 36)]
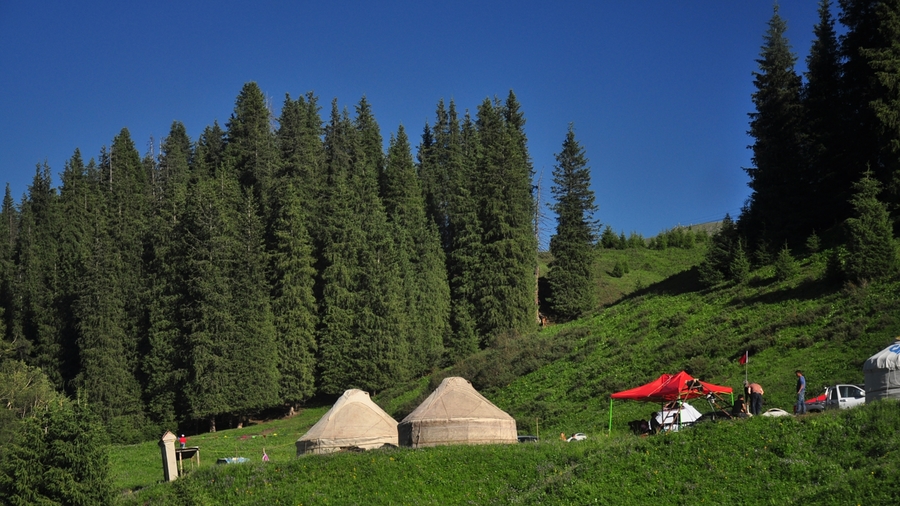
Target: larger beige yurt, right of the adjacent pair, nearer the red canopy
[(455, 413)]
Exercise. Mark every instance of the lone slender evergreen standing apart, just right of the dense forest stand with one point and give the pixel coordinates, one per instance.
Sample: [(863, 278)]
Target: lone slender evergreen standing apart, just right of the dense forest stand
[(570, 276)]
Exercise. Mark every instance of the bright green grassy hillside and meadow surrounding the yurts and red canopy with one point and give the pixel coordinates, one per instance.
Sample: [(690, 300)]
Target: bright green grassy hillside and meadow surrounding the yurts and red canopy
[(656, 319)]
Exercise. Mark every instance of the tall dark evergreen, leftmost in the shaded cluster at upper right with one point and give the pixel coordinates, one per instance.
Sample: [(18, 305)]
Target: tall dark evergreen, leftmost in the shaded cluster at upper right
[(779, 205)]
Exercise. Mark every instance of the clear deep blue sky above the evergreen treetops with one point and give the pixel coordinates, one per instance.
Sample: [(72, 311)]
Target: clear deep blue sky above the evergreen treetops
[(658, 90)]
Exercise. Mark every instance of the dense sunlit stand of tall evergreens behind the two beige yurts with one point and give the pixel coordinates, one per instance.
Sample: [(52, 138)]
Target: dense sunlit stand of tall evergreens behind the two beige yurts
[(271, 260)]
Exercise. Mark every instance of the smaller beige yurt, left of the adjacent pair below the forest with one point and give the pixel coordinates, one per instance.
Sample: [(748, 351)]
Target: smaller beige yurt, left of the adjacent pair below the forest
[(354, 422)]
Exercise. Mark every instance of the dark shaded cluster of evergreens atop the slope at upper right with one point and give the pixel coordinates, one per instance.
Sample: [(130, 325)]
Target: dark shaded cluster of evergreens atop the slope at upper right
[(826, 150)]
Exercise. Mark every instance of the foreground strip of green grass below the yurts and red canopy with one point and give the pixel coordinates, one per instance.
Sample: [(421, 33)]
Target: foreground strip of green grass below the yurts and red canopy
[(844, 457)]
